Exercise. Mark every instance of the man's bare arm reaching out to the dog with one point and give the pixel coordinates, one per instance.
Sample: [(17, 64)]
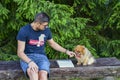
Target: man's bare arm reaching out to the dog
[(57, 47)]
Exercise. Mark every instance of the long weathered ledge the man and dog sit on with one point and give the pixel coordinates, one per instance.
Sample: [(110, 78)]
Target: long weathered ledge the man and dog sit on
[(10, 70)]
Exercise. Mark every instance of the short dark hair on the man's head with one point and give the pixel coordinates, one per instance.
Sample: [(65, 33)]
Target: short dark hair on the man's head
[(41, 17)]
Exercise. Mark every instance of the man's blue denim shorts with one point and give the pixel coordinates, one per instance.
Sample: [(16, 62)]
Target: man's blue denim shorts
[(41, 60)]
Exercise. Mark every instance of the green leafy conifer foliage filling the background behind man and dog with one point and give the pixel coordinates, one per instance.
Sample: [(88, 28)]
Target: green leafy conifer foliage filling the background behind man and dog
[(93, 23)]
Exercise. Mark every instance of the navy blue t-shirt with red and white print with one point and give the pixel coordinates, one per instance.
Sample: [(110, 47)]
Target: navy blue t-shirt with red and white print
[(34, 40)]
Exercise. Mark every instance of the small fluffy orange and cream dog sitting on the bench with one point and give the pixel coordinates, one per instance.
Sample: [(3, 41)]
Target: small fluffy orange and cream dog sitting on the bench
[(83, 55)]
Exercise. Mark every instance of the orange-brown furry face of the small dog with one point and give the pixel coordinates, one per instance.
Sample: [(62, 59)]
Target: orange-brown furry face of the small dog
[(79, 50)]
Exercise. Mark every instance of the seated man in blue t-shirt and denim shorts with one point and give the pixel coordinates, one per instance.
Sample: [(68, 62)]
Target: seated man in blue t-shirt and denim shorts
[(31, 42)]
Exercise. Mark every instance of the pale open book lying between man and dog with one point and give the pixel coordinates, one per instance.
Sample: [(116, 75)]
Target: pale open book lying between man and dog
[(65, 63)]
